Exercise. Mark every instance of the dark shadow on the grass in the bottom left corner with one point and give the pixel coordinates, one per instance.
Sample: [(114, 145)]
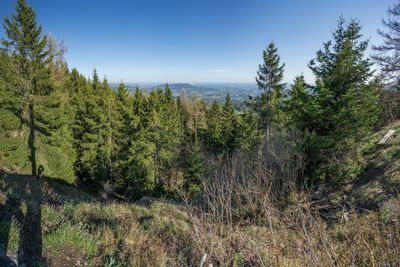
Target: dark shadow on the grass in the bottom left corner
[(24, 197)]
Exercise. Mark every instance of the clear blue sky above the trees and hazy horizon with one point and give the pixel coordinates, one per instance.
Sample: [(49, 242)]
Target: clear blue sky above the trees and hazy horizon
[(195, 40)]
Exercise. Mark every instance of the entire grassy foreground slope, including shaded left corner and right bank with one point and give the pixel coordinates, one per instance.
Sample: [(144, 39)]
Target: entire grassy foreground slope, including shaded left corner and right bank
[(79, 229)]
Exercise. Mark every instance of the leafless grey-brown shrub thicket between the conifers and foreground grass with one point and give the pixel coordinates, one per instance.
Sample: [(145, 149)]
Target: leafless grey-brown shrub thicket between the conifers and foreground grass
[(242, 187)]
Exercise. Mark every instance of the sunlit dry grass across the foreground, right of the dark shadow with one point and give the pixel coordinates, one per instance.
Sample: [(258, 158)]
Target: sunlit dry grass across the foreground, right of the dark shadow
[(166, 234)]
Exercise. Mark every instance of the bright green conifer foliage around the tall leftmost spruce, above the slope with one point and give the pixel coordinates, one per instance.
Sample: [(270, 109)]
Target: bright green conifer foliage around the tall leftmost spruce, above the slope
[(36, 112)]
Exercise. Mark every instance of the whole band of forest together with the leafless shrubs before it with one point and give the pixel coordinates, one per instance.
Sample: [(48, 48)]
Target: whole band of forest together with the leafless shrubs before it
[(123, 146)]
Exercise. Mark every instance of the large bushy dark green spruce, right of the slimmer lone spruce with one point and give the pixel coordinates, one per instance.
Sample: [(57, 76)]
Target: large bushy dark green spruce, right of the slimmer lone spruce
[(344, 101)]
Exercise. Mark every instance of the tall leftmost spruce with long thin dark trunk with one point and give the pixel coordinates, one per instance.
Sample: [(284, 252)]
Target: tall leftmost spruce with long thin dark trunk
[(27, 45)]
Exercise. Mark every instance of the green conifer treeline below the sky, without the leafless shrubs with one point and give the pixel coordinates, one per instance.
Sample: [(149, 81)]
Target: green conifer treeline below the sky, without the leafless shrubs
[(58, 123)]
